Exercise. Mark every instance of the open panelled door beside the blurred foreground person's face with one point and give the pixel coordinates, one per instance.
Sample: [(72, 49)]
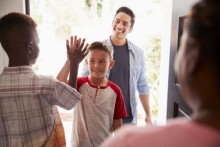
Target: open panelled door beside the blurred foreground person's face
[(176, 107)]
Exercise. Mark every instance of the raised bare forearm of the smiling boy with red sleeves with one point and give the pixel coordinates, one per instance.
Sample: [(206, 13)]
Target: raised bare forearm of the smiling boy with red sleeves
[(64, 72)]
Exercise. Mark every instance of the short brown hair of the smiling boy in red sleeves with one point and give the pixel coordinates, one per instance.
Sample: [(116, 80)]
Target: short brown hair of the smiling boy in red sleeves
[(97, 45)]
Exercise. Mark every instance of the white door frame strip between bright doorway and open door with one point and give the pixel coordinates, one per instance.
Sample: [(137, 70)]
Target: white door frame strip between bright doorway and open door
[(164, 64)]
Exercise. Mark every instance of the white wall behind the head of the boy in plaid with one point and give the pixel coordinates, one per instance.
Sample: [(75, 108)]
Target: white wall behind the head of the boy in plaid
[(7, 6)]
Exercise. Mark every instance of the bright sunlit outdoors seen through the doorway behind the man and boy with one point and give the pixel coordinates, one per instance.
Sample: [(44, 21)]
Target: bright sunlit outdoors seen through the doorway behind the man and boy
[(58, 20)]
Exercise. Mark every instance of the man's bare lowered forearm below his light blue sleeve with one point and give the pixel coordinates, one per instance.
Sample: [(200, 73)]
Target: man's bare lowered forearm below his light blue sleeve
[(146, 105)]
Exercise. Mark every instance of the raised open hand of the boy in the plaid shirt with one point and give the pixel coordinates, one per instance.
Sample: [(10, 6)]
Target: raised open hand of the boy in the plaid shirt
[(76, 49)]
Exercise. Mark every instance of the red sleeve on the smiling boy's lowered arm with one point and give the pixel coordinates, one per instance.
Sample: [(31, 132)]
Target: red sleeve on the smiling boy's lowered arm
[(120, 110)]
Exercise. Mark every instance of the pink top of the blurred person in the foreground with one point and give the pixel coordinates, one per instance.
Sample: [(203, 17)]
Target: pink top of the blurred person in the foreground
[(178, 133)]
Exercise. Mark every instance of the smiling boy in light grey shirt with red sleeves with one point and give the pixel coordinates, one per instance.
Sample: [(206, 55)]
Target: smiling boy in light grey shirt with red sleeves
[(102, 107)]
